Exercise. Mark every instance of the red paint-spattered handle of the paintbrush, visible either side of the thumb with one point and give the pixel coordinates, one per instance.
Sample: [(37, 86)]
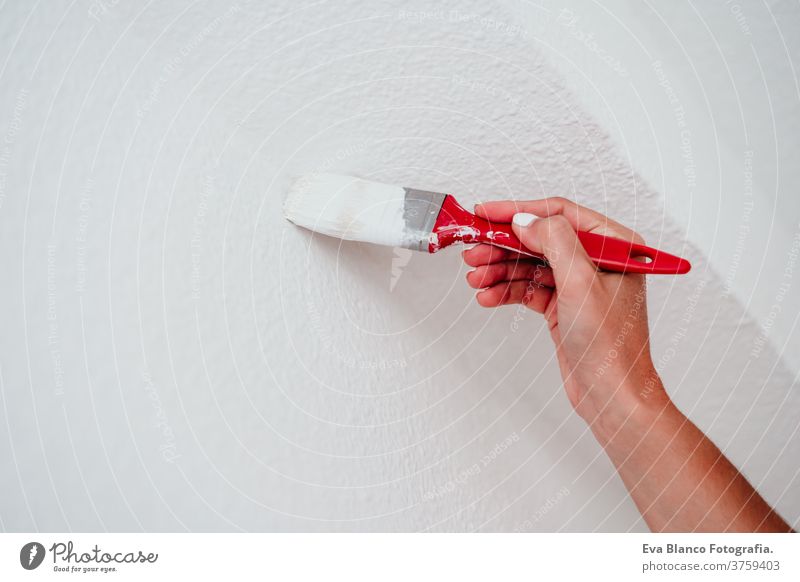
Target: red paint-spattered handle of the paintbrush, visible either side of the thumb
[(456, 225)]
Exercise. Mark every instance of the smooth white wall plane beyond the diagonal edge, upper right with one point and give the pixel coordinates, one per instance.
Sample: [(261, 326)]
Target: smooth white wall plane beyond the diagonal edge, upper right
[(702, 99)]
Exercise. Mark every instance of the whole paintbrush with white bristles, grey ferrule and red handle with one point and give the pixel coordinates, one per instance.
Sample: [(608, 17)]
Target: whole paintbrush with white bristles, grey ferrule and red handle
[(360, 210)]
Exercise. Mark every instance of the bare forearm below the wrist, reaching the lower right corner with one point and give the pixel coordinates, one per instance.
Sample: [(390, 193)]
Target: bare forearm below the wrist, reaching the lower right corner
[(678, 478)]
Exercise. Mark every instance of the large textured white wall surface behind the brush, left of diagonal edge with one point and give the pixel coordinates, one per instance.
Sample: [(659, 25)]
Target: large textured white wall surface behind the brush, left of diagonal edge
[(175, 355)]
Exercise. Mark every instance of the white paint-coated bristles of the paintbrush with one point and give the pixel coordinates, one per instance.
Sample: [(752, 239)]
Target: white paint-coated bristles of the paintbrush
[(348, 208)]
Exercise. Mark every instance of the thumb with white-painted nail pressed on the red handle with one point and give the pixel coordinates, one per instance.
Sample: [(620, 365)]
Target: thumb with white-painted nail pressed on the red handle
[(555, 238)]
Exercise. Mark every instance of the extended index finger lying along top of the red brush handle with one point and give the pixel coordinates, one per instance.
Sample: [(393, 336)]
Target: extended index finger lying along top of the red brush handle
[(580, 217)]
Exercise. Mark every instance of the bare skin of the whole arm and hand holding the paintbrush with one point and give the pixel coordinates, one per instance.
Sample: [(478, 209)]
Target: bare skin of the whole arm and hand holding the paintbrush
[(679, 480)]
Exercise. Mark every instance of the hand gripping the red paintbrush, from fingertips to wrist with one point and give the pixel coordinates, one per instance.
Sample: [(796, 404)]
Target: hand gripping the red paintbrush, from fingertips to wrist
[(597, 319)]
